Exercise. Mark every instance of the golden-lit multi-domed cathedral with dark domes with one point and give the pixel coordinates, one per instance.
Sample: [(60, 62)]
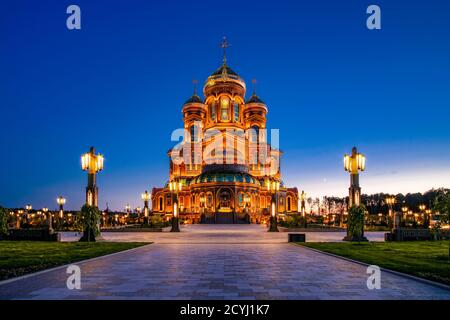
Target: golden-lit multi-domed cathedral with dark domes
[(222, 170)]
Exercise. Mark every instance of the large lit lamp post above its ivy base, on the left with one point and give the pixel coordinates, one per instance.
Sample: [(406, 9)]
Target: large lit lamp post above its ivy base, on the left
[(92, 163)]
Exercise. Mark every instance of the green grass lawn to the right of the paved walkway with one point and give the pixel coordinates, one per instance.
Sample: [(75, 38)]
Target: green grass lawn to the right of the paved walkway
[(425, 259)]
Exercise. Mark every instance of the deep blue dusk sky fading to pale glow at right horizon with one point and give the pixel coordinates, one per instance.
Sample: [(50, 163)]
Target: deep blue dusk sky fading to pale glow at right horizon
[(120, 82)]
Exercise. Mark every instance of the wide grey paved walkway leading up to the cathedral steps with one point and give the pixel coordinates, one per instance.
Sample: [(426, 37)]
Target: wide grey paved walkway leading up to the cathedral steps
[(226, 262)]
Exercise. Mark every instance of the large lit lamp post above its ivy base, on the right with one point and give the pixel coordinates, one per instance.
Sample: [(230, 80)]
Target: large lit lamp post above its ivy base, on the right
[(353, 164)]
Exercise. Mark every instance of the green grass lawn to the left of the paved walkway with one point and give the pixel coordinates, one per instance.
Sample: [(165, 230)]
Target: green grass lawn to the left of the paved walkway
[(21, 257)]
